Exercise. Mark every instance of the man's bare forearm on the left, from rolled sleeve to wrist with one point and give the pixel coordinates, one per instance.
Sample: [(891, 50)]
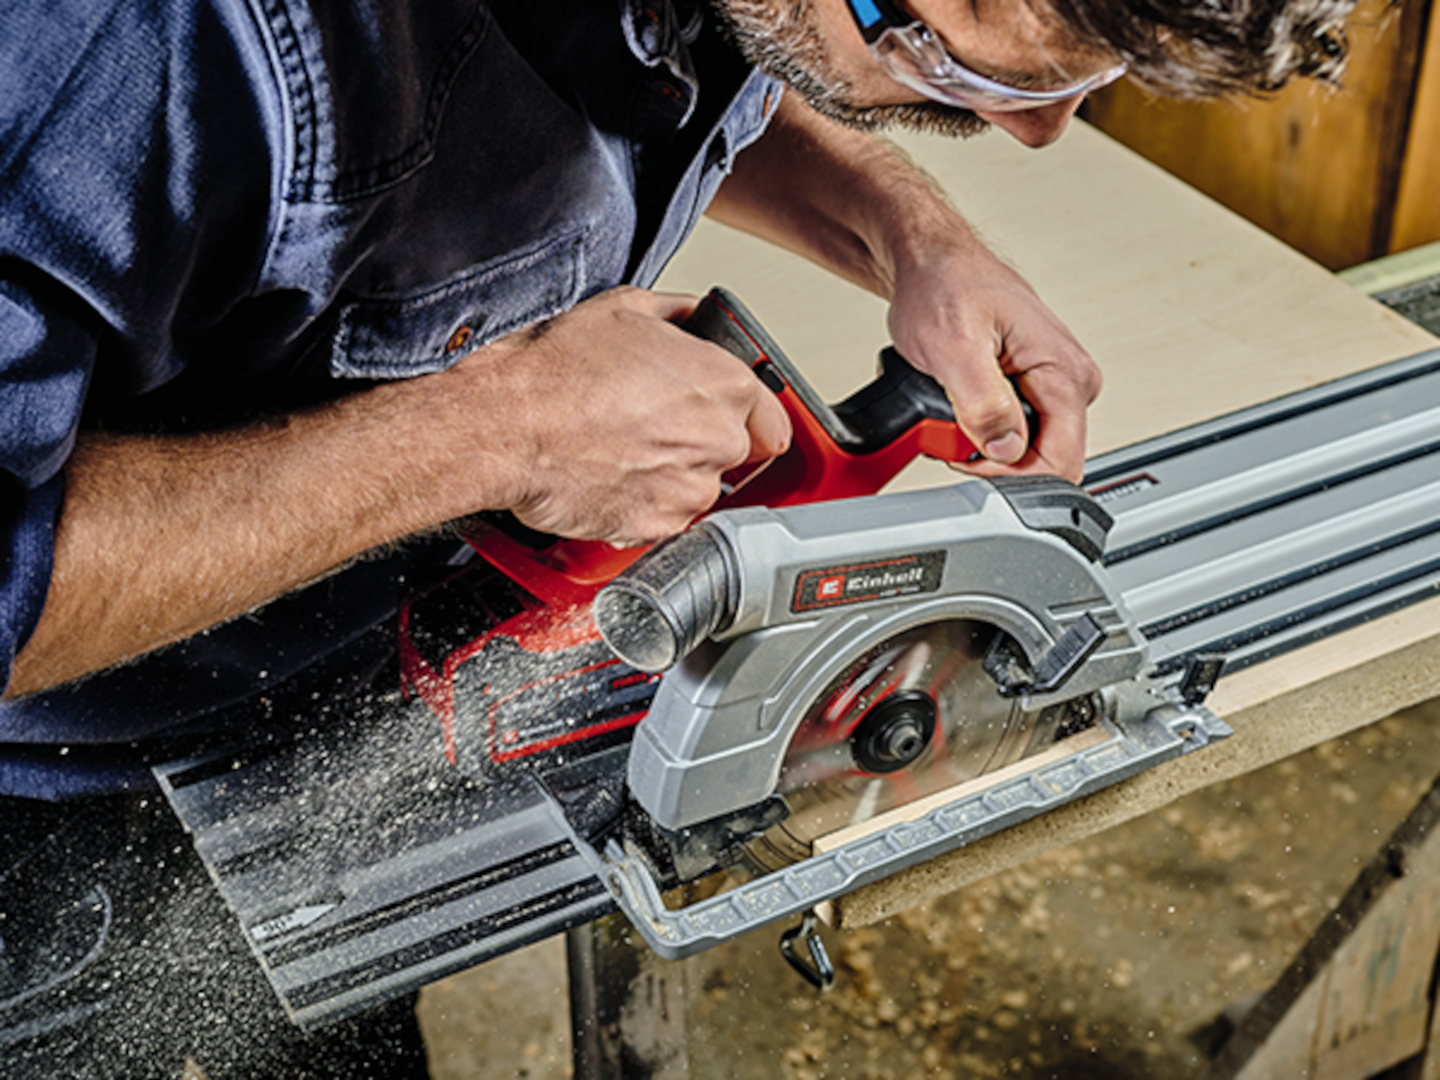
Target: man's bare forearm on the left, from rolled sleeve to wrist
[(162, 538)]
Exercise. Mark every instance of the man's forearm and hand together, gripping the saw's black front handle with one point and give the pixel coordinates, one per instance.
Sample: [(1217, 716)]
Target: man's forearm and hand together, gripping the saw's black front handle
[(850, 204)]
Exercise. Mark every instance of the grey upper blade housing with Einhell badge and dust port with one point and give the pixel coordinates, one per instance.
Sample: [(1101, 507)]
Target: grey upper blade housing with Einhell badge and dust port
[(762, 608)]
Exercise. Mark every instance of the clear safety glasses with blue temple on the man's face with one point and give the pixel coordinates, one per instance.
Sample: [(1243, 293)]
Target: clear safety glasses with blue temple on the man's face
[(915, 58)]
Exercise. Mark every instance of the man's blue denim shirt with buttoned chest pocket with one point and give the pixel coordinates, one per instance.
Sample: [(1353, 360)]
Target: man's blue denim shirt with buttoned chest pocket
[(211, 210)]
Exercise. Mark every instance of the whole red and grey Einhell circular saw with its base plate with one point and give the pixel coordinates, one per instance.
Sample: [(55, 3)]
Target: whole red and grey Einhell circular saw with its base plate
[(811, 660)]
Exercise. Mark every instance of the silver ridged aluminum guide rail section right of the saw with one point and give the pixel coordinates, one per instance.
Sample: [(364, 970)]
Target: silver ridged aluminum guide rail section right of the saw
[(1264, 531)]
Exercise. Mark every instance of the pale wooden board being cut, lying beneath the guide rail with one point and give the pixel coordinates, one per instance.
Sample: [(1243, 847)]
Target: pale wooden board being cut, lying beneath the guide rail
[(1192, 312)]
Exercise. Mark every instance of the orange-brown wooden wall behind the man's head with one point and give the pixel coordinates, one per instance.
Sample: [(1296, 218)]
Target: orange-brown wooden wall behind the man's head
[(1343, 175)]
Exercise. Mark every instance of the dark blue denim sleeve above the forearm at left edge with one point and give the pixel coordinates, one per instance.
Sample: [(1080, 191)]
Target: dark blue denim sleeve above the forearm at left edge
[(136, 152)]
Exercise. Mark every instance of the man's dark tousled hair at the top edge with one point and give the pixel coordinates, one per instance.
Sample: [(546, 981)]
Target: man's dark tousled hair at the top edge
[(1212, 48)]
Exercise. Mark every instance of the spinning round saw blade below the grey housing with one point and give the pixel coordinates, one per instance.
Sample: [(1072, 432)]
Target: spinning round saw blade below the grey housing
[(826, 780)]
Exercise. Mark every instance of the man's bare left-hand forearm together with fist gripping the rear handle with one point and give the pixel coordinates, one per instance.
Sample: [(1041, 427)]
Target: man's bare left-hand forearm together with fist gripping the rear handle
[(608, 423)]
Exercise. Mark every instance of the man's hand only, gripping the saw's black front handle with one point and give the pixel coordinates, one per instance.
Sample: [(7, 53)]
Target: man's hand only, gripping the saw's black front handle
[(976, 326)]
